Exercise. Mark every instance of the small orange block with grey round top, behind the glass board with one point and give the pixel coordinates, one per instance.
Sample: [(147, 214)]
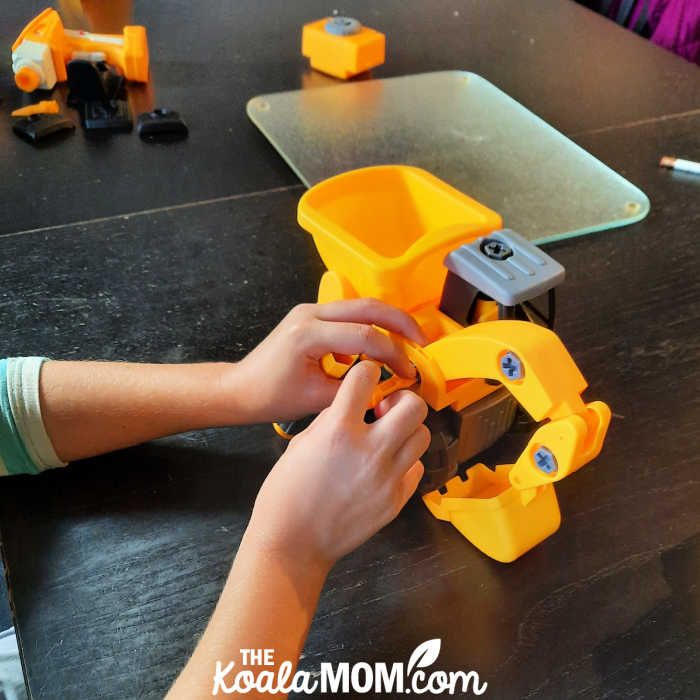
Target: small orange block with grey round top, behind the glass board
[(342, 47)]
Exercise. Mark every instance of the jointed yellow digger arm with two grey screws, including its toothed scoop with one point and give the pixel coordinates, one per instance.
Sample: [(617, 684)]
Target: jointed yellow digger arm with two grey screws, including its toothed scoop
[(508, 511)]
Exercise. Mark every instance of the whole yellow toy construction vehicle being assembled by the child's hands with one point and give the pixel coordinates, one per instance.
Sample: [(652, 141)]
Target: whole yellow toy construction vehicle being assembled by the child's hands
[(399, 234)]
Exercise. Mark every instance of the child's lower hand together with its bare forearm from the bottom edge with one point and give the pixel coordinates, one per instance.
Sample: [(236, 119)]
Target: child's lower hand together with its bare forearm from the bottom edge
[(339, 482)]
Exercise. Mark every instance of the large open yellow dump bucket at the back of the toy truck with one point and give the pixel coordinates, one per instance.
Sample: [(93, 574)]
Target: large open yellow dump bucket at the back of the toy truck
[(385, 230)]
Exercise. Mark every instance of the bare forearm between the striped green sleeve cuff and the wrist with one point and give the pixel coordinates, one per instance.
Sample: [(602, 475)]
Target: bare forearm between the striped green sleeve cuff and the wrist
[(93, 407)]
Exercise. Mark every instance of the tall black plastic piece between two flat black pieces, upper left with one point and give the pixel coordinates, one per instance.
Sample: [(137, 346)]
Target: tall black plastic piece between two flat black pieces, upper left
[(96, 91)]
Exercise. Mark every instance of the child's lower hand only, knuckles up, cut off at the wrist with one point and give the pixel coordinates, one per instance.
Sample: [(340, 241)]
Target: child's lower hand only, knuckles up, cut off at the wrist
[(342, 479)]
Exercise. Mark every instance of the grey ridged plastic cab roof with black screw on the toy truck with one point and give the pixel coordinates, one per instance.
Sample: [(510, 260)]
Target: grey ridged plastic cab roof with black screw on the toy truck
[(506, 267)]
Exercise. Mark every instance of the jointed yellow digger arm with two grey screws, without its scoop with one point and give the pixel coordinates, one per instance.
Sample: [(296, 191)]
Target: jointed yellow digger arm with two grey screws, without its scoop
[(533, 364)]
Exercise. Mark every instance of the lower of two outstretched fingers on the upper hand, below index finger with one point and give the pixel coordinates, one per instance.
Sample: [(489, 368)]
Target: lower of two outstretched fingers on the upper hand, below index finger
[(354, 339)]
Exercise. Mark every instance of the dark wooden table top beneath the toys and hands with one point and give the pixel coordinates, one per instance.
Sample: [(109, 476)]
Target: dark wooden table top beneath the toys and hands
[(190, 251)]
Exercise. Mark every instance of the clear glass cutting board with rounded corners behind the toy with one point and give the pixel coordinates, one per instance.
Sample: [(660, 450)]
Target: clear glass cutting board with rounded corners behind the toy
[(465, 131)]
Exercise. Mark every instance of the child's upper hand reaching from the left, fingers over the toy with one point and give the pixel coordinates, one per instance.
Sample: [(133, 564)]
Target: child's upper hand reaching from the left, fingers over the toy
[(282, 378)]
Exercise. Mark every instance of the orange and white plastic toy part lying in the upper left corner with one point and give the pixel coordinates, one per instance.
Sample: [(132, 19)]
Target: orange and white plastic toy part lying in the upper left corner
[(40, 53)]
